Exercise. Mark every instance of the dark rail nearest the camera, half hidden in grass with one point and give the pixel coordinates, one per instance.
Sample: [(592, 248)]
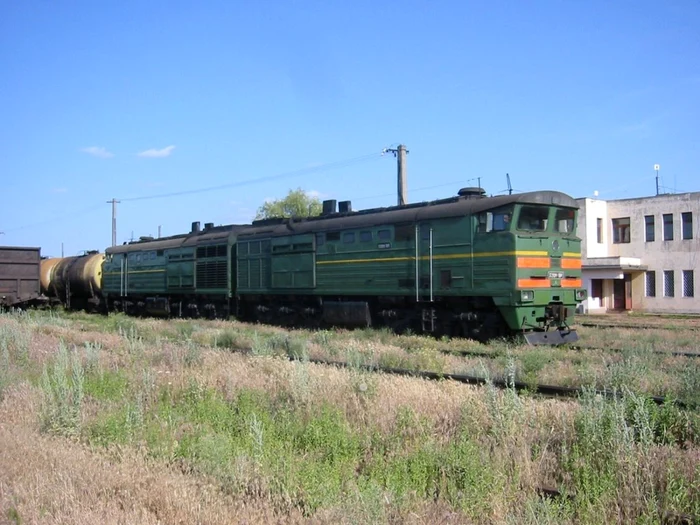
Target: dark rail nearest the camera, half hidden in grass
[(544, 390)]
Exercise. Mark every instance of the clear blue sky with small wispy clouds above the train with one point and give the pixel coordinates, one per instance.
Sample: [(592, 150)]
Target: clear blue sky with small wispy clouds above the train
[(136, 99)]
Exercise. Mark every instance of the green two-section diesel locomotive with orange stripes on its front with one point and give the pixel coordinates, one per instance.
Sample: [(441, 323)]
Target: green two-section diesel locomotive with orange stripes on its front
[(469, 265)]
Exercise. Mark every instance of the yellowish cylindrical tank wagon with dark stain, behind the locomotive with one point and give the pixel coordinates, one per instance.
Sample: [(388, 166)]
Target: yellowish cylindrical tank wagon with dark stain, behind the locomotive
[(75, 282)]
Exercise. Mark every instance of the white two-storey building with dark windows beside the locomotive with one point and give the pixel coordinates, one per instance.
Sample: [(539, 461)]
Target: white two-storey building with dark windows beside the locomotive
[(641, 254)]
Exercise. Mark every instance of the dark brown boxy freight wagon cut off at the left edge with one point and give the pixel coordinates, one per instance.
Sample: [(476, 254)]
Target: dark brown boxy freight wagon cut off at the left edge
[(19, 276)]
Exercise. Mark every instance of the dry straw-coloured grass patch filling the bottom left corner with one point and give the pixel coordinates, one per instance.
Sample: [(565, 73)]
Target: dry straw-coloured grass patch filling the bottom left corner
[(47, 480)]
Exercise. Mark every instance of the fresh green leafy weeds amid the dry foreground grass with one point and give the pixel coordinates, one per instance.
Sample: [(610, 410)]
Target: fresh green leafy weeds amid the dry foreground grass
[(312, 457)]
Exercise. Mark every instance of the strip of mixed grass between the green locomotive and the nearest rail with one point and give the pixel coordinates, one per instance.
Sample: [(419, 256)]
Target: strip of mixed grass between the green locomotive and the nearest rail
[(637, 368)]
